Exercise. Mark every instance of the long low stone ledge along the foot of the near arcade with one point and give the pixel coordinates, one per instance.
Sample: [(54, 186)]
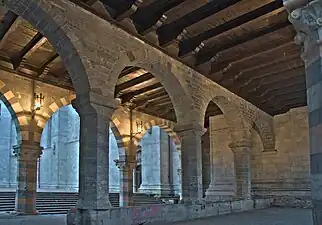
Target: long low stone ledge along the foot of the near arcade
[(168, 213)]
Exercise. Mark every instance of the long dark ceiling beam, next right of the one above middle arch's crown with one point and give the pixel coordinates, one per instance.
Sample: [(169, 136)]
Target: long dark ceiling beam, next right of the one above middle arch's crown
[(169, 32)]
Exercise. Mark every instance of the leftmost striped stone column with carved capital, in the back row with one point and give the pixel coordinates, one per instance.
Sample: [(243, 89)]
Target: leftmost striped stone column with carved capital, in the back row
[(27, 154)]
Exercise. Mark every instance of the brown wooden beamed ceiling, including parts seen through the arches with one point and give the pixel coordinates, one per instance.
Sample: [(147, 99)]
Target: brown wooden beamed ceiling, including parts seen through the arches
[(244, 45)]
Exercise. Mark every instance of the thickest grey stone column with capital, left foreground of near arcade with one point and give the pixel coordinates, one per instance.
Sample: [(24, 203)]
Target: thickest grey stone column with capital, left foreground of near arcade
[(95, 112)]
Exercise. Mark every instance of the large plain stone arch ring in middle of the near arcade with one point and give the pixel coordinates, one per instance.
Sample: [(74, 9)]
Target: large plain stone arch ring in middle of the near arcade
[(162, 70)]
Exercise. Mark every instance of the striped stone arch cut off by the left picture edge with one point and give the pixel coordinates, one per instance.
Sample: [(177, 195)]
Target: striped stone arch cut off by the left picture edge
[(17, 113)]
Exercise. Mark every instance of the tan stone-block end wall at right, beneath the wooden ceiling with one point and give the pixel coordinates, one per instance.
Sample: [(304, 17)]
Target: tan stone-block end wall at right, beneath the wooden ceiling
[(285, 173)]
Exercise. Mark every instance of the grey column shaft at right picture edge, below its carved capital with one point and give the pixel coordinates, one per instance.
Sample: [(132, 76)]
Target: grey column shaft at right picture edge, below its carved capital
[(314, 99)]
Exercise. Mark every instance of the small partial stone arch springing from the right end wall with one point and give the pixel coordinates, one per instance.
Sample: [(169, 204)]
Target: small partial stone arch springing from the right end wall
[(266, 133)]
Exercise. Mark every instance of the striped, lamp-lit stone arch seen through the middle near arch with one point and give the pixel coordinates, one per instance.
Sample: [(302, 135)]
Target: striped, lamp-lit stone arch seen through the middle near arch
[(166, 126)]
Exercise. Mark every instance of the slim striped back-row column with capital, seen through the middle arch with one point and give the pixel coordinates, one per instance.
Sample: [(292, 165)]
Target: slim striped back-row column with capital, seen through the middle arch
[(126, 181)]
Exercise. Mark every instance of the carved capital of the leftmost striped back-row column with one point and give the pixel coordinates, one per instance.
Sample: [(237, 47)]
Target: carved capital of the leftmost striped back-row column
[(27, 151)]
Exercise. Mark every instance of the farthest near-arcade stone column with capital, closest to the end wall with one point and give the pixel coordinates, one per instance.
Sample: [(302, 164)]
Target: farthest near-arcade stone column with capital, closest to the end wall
[(242, 164)]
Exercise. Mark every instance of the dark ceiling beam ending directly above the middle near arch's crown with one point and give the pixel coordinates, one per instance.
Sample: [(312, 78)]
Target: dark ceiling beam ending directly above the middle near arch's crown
[(151, 17)]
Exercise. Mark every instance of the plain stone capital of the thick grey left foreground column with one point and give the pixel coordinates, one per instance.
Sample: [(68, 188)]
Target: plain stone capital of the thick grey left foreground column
[(94, 103)]
